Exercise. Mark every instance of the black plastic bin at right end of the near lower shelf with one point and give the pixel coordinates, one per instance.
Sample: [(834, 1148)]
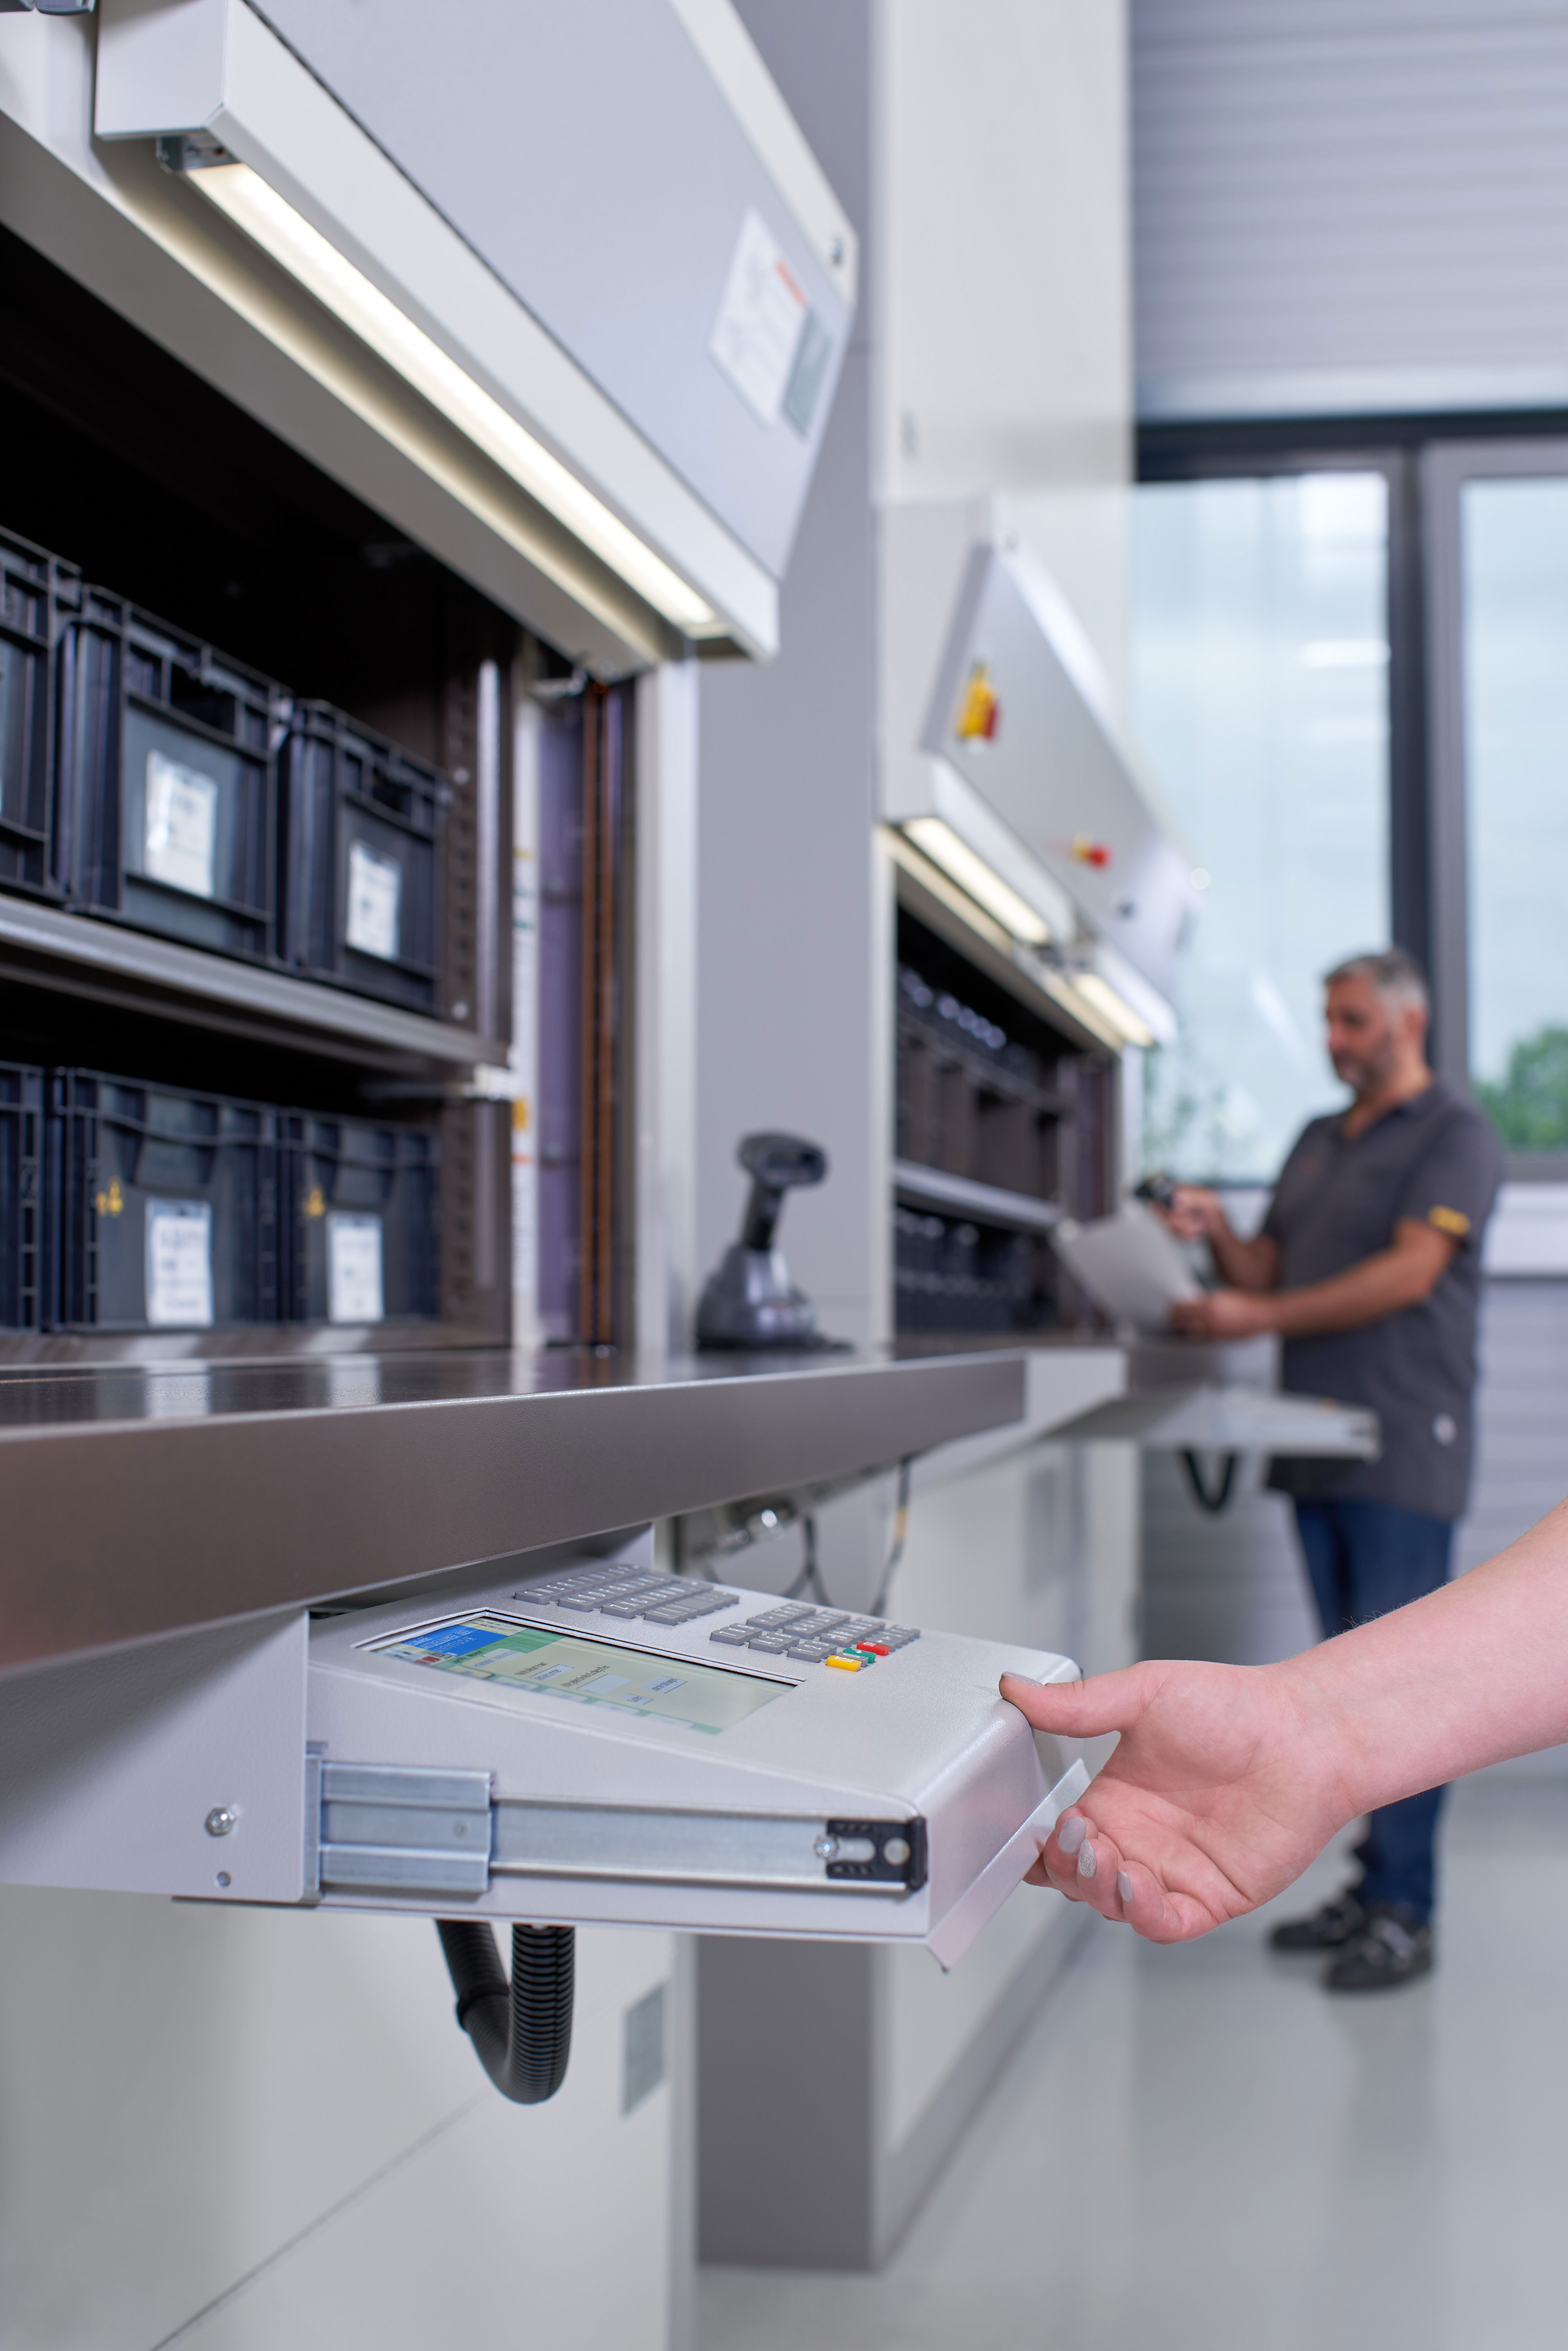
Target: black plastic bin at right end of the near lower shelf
[(361, 1221)]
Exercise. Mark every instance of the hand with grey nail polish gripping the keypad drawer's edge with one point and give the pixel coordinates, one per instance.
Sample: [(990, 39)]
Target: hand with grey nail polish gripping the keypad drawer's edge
[(1214, 1800)]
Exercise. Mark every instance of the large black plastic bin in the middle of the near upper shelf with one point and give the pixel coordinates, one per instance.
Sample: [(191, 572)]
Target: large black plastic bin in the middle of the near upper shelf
[(163, 805)]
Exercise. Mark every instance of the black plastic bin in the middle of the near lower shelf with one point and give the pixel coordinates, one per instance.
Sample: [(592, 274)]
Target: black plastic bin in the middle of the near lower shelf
[(163, 1207)]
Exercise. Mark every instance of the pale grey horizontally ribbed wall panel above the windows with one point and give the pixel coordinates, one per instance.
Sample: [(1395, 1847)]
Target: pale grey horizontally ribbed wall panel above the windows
[(1351, 206)]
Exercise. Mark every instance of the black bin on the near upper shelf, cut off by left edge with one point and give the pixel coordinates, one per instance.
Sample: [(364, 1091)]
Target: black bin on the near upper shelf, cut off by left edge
[(32, 591)]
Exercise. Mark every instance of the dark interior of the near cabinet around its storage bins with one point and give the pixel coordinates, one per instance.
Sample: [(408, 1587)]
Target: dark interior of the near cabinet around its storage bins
[(163, 493)]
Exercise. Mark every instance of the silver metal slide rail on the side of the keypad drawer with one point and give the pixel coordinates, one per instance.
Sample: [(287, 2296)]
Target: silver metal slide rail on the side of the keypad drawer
[(441, 1835)]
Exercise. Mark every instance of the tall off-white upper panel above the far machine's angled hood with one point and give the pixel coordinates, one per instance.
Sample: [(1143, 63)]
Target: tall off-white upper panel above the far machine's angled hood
[(1005, 288)]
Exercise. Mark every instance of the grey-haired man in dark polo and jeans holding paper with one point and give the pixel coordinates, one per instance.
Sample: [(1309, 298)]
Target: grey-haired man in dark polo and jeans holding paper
[(1369, 1268)]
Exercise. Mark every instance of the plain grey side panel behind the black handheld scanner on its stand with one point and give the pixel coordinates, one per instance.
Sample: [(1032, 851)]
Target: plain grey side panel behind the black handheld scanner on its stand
[(791, 958)]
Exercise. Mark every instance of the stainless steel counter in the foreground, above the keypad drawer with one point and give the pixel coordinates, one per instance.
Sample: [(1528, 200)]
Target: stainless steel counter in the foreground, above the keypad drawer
[(142, 1501)]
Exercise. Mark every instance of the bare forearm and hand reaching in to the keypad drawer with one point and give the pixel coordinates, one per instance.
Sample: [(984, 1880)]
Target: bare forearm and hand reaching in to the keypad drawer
[(1228, 1781)]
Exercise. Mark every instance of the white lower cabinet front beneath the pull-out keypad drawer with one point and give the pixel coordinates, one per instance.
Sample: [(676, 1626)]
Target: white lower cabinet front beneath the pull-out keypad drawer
[(264, 2129)]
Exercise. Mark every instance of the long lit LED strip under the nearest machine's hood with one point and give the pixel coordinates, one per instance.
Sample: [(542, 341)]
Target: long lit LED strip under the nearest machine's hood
[(344, 290)]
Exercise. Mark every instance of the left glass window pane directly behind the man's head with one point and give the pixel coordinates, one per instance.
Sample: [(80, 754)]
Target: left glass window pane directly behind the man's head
[(1261, 688)]
